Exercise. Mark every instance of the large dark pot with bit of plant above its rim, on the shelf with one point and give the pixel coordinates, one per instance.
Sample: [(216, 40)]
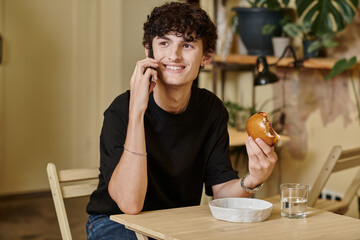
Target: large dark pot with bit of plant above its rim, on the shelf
[(259, 13)]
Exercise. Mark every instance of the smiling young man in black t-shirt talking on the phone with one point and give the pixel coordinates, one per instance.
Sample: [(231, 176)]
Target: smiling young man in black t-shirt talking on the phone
[(163, 139)]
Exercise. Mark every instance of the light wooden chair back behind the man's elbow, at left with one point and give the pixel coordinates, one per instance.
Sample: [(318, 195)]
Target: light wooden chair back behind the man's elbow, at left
[(69, 184)]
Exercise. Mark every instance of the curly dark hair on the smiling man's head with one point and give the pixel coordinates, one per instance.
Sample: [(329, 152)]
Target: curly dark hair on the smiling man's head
[(184, 19)]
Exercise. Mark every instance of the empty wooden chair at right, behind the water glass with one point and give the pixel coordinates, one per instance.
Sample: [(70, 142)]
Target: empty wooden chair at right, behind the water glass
[(338, 160)]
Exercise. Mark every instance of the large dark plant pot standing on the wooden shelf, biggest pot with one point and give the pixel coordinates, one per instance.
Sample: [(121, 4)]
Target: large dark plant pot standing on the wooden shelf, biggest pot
[(251, 21)]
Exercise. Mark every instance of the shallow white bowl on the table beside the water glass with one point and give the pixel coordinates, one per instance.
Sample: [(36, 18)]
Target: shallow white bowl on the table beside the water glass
[(240, 209)]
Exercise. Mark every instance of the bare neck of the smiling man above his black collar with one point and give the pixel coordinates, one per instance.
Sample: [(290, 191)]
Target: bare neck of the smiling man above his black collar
[(172, 99)]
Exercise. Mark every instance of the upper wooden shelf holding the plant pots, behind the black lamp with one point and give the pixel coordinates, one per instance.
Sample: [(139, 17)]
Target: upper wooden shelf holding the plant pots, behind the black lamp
[(312, 63)]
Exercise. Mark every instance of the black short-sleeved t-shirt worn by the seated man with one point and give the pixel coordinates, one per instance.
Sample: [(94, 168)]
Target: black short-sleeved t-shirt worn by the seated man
[(184, 151)]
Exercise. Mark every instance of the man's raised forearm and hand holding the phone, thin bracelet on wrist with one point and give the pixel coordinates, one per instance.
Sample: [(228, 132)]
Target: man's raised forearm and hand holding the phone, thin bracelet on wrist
[(128, 183)]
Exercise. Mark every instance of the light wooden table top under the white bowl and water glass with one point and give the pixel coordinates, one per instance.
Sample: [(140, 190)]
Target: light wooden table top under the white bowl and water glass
[(198, 223)]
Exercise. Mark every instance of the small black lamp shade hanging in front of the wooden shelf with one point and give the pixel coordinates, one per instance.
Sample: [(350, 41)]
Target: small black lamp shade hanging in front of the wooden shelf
[(264, 76)]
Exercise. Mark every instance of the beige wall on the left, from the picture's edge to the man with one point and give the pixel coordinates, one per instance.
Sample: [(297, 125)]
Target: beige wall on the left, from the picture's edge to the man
[(64, 62)]
